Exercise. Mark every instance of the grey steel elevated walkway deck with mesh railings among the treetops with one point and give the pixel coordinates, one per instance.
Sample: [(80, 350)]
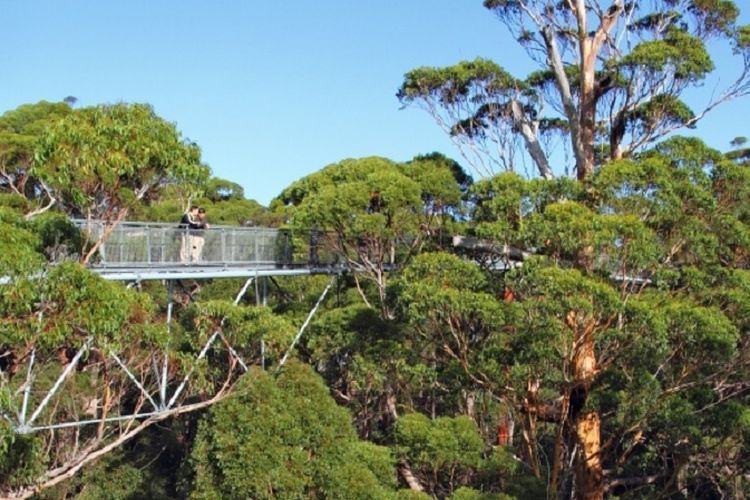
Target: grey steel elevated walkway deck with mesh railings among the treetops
[(136, 251)]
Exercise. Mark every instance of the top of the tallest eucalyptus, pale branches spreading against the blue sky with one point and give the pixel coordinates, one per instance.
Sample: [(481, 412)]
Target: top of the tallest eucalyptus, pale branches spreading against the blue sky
[(611, 79)]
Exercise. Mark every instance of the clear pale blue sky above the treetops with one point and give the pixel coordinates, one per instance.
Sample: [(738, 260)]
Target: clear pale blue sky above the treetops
[(271, 91)]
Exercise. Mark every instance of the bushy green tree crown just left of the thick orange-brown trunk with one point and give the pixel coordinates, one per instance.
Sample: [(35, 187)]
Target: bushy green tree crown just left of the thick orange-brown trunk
[(455, 326)]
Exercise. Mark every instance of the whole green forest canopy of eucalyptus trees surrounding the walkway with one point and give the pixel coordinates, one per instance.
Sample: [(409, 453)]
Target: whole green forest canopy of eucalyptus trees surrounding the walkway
[(497, 337)]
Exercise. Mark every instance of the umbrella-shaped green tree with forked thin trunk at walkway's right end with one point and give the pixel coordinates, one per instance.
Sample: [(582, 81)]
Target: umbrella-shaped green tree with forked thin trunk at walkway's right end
[(372, 214)]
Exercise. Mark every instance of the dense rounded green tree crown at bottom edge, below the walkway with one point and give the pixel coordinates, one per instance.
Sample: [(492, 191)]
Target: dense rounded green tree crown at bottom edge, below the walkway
[(285, 437)]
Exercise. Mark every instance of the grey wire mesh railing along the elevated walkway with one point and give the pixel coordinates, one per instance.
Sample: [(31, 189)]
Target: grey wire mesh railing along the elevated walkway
[(141, 244)]
